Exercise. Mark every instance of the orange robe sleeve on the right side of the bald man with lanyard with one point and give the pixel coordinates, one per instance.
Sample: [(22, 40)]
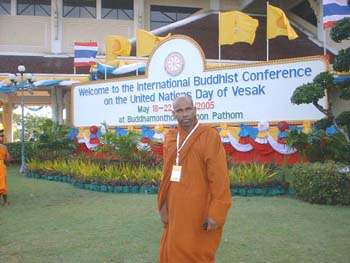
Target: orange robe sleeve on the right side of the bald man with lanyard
[(218, 179)]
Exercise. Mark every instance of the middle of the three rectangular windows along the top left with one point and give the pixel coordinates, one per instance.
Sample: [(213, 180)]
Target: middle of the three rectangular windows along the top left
[(79, 8)]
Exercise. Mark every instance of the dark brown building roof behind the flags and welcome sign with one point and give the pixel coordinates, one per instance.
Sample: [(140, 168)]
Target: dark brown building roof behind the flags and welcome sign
[(205, 32)]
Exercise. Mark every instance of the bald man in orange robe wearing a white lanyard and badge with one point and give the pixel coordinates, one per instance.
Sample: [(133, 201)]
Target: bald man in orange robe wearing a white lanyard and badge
[(194, 195)]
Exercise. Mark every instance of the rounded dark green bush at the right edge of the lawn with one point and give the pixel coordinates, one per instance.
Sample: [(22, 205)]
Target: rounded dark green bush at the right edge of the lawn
[(322, 183)]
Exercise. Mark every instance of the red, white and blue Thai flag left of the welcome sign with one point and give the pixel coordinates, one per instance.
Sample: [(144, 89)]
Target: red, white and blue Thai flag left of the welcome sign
[(85, 53)]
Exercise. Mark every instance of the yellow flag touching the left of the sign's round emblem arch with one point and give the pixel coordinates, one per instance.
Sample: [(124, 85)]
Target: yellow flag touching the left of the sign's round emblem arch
[(146, 42)]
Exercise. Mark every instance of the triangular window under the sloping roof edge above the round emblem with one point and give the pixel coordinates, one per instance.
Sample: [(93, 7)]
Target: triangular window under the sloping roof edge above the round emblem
[(165, 15)]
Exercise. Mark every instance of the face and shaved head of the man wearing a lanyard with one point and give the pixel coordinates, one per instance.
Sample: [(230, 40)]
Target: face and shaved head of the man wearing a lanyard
[(184, 112)]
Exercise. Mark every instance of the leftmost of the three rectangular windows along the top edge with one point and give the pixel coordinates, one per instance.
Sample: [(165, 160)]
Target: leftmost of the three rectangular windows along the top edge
[(34, 7)]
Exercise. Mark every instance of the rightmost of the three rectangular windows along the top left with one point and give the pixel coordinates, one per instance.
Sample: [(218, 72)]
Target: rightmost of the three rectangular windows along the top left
[(122, 9)]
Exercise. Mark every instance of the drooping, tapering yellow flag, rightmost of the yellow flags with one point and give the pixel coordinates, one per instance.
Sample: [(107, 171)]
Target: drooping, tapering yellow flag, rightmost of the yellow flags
[(278, 24)]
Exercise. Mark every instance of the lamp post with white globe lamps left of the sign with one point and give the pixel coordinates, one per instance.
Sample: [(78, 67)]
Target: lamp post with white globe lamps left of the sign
[(28, 84)]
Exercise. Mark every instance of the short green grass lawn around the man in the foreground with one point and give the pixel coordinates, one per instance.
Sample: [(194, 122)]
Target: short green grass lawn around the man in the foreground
[(54, 222)]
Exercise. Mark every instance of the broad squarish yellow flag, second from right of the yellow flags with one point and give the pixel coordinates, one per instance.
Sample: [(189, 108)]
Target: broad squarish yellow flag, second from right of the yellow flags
[(236, 27)]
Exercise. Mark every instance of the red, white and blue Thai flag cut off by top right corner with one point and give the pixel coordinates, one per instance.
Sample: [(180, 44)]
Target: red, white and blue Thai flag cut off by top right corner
[(334, 10)]
